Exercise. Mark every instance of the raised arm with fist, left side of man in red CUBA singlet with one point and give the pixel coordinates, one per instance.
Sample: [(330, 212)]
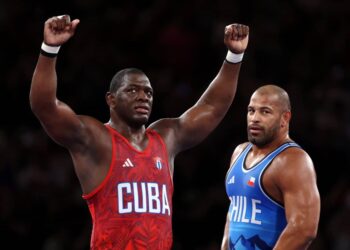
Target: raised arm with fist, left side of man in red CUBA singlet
[(59, 120)]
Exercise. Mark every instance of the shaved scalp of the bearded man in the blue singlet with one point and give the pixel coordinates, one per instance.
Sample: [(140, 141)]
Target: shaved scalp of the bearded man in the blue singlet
[(282, 97)]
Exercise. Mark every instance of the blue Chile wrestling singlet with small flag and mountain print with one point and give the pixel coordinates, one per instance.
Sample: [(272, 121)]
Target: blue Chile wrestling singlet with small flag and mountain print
[(255, 220)]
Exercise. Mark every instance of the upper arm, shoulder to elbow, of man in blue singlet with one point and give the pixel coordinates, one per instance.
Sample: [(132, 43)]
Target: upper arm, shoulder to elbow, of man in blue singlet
[(297, 181)]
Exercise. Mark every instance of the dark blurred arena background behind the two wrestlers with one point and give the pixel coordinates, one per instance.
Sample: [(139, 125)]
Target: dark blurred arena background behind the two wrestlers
[(303, 46)]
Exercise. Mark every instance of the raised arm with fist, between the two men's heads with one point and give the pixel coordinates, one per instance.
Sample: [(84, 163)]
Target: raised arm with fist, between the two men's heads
[(197, 122)]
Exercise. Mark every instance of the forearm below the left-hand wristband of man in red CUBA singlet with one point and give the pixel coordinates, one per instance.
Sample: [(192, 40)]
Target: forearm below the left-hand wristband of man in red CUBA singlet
[(44, 84)]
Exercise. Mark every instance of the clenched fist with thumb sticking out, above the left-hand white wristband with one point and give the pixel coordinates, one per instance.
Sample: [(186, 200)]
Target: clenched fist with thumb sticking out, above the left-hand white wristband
[(59, 29)]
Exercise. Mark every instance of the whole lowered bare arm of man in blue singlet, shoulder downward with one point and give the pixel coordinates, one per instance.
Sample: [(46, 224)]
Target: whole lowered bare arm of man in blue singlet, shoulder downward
[(297, 182)]
